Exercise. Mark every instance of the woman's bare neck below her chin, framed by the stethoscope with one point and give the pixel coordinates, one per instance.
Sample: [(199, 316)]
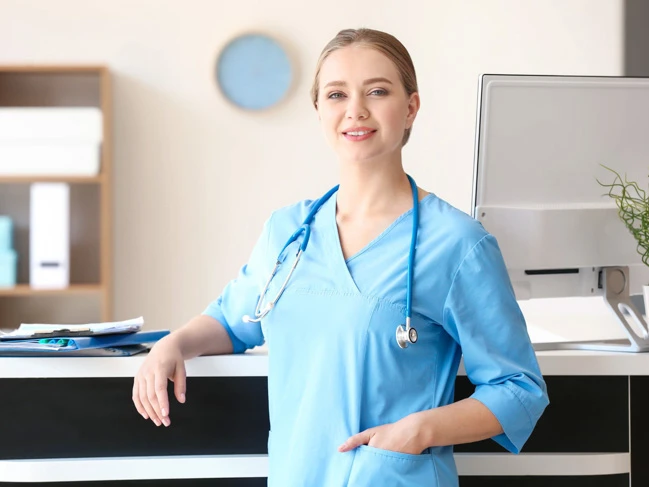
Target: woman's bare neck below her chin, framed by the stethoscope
[(368, 190)]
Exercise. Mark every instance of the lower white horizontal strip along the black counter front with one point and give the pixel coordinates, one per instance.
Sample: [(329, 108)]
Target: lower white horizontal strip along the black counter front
[(243, 466)]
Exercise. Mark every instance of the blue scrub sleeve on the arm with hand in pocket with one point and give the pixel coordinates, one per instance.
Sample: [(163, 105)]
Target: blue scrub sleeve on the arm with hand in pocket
[(482, 315)]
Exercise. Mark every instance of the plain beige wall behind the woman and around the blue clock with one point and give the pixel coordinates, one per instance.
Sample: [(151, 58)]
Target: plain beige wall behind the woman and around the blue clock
[(195, 178)]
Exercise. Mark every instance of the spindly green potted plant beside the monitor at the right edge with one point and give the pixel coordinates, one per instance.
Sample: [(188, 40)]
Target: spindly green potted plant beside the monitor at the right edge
[(633, 209)]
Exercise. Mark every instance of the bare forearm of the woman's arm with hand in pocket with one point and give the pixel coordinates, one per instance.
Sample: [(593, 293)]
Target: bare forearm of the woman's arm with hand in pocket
[(465, 421)]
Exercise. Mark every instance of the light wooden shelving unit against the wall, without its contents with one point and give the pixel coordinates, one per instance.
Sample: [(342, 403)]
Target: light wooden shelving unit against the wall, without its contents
[(91, 276)]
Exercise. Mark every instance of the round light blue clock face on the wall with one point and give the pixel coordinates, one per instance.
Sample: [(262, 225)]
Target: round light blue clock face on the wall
[(253, 71)]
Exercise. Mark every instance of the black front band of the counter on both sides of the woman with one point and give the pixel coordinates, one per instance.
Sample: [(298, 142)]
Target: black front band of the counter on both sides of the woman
[(229, 415)]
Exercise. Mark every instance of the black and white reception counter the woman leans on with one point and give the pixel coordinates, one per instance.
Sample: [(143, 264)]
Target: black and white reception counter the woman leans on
[(70, 421)]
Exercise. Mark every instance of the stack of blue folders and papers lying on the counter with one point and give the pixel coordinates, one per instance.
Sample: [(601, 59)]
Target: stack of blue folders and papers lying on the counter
[(114, 339)]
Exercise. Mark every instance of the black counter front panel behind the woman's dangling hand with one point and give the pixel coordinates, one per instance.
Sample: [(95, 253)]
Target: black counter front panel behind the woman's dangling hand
[(69, 418)]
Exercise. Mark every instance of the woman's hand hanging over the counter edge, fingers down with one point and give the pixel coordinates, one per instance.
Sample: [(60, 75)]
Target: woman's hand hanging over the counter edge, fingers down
[(164, 362)]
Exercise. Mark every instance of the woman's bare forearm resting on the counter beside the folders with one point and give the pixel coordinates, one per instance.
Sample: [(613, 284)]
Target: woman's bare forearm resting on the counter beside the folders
[(202, 335)]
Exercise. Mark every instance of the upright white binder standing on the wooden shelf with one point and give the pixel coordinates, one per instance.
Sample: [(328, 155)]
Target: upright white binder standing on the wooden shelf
[(49, 236)]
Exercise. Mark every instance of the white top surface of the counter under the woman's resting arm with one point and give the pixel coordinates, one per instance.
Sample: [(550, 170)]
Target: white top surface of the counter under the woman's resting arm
[(255, 363)]
